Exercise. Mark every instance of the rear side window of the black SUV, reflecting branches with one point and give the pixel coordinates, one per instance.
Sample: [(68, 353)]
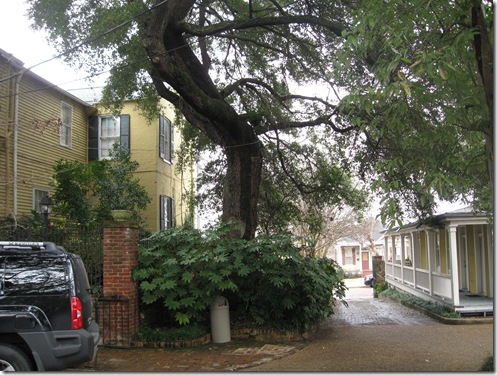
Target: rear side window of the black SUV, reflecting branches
[(33, 275)]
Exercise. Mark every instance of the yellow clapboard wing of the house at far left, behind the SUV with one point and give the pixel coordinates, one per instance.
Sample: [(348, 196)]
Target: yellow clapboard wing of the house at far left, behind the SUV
[(39, 124)]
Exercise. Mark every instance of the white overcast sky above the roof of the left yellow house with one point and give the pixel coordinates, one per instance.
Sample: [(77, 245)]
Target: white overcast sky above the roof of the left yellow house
[(31, 47)]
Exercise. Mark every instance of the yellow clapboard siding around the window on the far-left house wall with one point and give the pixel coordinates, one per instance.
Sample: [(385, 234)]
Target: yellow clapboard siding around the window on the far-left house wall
[(38, 146)]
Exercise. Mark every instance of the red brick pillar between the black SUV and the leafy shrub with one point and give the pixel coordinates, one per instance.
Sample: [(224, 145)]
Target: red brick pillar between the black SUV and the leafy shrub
[(119, 304)]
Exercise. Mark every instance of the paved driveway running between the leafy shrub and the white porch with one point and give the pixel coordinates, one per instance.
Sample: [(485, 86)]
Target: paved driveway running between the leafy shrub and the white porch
[(375, 334)]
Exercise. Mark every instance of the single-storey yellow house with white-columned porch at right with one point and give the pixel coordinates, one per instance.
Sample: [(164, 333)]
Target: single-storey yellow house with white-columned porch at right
[(450, 261)]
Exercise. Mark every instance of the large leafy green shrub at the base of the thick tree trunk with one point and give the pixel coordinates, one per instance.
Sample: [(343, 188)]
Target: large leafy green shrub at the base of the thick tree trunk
[(266, 281)]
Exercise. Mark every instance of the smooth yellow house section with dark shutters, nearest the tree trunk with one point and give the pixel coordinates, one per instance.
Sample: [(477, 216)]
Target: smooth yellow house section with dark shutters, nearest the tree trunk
[(153, 146)]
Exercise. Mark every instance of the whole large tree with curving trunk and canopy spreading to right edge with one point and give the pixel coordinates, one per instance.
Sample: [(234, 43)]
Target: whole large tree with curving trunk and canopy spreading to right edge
[(400, 82)]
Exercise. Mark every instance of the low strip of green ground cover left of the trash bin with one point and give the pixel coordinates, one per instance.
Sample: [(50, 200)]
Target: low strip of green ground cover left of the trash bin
[(189, 332)]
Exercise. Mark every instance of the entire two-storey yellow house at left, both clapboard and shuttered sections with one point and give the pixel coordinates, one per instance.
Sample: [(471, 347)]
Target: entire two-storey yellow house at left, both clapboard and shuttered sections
[(41, 124)]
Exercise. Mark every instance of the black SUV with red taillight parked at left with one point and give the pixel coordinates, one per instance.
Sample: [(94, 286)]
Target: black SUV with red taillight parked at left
[(45, 308)]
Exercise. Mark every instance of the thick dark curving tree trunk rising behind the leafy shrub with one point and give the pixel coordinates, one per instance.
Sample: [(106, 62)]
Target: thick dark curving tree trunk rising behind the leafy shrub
[(197, 97)]
